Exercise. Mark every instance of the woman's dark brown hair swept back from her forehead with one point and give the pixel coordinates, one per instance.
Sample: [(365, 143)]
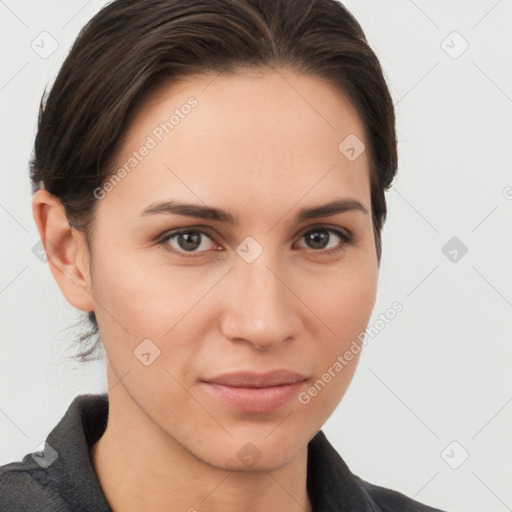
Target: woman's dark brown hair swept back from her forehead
[(131, 47)]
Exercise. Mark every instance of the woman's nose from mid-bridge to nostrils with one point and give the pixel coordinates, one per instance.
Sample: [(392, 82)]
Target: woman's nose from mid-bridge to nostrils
[(261, 308)]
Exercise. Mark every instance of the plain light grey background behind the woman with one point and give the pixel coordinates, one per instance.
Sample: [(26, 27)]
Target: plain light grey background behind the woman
[(441, 370)]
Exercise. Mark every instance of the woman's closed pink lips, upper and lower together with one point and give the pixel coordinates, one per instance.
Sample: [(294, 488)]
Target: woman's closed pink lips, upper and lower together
[(256, 392)]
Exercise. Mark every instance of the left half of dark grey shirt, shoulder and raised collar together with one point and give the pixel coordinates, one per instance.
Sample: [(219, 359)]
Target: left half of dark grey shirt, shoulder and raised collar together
[(61, 477)]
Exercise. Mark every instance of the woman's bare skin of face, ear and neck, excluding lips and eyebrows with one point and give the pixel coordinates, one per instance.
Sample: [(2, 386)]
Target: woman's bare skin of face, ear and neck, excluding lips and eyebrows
[(261, 145)]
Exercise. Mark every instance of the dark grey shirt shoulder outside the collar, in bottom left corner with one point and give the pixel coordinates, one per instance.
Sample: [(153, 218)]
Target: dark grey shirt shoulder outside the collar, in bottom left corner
[(24, 486)]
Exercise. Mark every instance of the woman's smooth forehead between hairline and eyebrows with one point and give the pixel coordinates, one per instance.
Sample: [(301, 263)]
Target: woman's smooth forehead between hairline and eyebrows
[(260, 136)]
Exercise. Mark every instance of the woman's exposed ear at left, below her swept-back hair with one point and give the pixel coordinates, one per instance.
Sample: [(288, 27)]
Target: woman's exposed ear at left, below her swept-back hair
[(66, 250)]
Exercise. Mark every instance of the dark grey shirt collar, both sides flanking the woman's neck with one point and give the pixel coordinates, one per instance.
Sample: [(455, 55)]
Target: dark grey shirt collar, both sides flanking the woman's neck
[(330, 484)]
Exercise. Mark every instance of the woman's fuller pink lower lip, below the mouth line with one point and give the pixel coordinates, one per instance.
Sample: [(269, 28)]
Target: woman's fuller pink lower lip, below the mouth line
[(256, 400)]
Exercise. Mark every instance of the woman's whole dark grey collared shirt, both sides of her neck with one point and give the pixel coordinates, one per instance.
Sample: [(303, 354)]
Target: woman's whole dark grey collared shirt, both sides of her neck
[(63, 478)]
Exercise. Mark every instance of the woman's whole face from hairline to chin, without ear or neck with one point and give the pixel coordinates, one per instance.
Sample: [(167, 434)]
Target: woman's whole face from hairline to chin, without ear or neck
[(255, 289)]
